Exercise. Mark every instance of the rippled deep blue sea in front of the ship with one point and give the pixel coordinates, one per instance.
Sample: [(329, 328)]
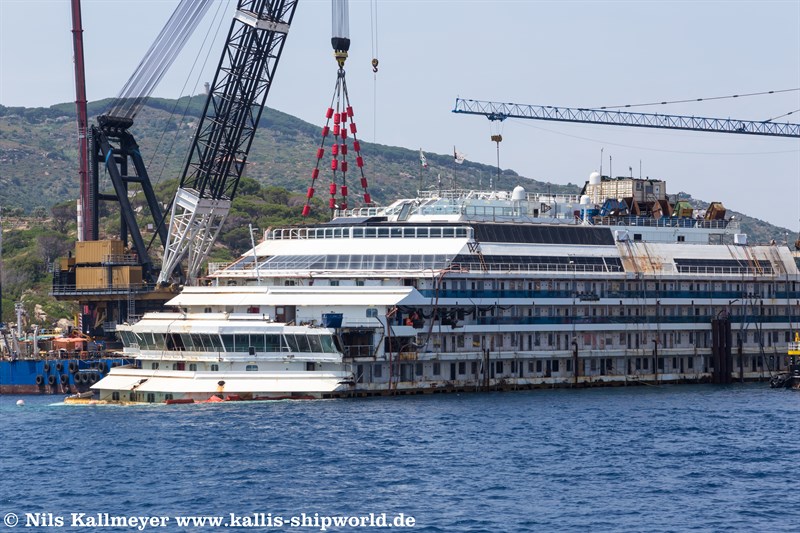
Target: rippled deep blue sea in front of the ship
[(699, 458)]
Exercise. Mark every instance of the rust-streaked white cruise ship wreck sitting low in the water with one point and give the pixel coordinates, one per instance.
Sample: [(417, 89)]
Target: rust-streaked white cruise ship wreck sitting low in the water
[(469, 290)]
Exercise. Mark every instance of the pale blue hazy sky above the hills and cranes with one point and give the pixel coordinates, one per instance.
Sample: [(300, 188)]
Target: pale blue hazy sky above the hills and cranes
[(563, 53)]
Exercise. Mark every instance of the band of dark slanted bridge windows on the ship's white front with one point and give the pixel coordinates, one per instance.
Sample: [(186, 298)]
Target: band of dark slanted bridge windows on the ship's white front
[(202, 342)]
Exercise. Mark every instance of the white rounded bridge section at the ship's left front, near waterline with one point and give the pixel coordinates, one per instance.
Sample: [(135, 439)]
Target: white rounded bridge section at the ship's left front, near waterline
[(198, 357)]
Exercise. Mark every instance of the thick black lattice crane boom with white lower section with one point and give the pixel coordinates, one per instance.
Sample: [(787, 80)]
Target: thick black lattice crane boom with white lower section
[(225, 133)]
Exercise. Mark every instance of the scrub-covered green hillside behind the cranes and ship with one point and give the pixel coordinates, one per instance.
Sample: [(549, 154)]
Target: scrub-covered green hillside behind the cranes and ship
[(38, 185)]
